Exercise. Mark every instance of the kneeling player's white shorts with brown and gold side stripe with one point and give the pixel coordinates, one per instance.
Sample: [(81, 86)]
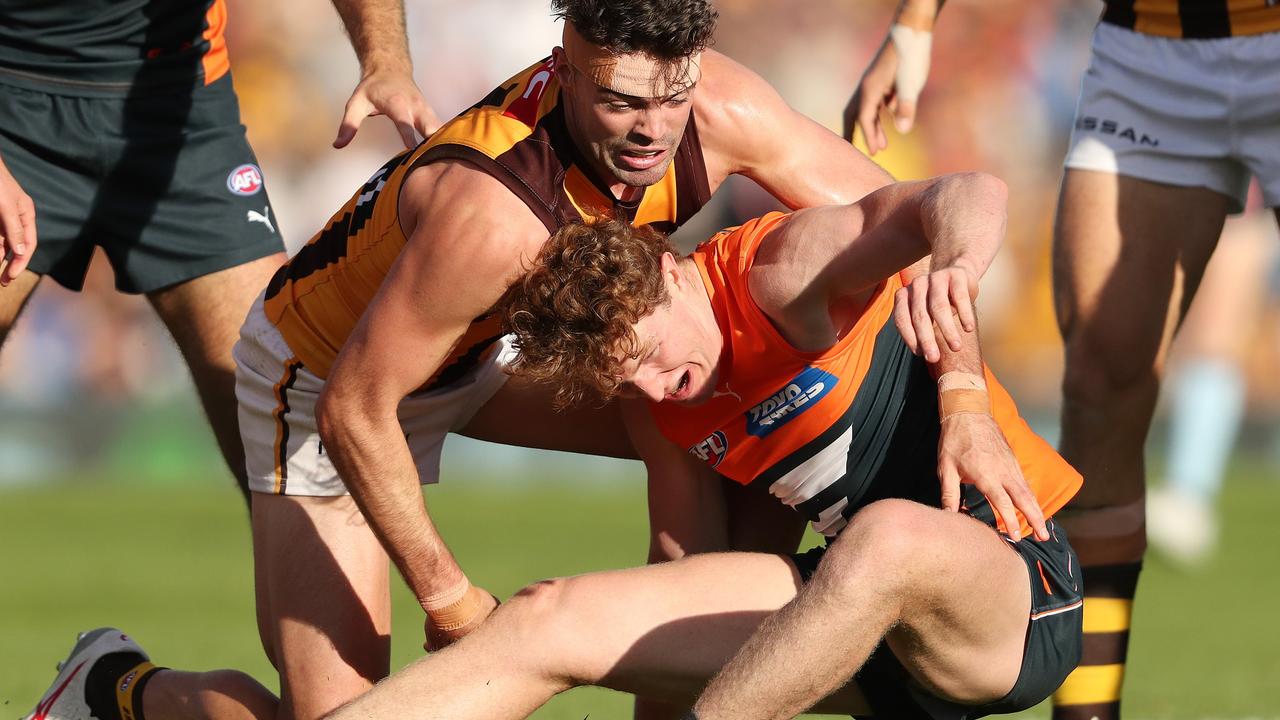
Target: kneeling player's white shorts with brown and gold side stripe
[(278, 395)]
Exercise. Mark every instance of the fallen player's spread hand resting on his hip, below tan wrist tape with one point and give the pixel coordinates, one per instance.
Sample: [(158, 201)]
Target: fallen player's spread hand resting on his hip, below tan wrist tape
[(973, 450)]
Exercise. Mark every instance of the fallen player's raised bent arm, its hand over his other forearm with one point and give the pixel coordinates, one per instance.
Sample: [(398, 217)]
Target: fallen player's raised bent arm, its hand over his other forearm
[(834, 257)]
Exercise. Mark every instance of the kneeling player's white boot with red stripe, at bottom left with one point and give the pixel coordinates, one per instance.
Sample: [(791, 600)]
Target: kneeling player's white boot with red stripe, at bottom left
[(67, 699)]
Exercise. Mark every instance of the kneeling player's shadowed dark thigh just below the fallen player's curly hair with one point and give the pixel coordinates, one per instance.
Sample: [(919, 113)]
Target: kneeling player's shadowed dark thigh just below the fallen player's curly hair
[(522, 414)]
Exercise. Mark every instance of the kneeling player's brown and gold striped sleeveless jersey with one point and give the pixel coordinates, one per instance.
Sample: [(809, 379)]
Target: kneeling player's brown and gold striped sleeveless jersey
[(518, 134)]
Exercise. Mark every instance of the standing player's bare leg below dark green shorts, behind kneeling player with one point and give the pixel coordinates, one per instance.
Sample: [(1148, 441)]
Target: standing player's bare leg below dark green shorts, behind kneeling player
[(205, 316)]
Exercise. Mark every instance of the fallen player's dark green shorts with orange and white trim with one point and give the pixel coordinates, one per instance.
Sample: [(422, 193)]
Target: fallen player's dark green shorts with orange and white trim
[(1052, 649)]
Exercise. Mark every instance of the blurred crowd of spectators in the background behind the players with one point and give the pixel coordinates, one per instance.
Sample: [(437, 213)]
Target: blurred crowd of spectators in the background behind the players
[(92, 382)]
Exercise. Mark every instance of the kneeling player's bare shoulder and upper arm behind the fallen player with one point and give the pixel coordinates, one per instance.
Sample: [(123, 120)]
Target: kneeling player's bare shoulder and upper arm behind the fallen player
[(747, 127)]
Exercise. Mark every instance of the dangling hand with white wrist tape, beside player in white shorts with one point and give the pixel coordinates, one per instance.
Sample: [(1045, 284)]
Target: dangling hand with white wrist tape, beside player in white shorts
[(895, 76)]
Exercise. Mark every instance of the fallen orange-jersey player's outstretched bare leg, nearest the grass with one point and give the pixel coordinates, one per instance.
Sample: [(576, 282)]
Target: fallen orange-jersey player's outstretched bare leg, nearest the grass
[(661, 631)]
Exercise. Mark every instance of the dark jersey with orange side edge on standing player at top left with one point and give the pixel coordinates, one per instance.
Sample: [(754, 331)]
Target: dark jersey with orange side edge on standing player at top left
[(113, 47)]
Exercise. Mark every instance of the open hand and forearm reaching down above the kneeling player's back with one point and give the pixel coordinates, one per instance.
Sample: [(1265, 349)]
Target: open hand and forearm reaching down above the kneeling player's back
[(377, 31)]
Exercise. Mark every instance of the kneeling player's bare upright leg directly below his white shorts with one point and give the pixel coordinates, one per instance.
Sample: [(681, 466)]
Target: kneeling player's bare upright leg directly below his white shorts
[(323, 600)]
